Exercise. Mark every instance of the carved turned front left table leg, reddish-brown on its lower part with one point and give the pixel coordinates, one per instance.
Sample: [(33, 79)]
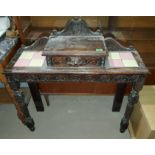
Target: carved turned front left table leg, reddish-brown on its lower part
[(21, 106)]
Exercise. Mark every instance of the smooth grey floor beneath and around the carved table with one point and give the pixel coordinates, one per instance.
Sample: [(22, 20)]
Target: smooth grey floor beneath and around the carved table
[(67, 117)]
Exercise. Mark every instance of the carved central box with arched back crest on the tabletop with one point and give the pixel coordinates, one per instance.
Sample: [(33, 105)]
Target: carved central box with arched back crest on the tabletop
[(76, 45)]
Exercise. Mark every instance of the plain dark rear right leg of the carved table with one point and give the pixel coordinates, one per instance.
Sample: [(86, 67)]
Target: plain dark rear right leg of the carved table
[(119, 96)]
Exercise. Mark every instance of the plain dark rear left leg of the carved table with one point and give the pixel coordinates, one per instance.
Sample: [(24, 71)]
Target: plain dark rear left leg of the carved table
[(36, 96)]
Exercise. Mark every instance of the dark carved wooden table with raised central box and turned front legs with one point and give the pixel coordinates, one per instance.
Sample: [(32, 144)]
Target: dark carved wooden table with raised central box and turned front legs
[(67, 64)]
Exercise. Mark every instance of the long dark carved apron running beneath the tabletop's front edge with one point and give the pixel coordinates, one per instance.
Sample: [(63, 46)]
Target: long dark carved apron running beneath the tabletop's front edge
[(117, 78)]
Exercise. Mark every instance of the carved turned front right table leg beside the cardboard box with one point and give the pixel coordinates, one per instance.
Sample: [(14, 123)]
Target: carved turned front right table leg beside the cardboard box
[(132, 100)]
